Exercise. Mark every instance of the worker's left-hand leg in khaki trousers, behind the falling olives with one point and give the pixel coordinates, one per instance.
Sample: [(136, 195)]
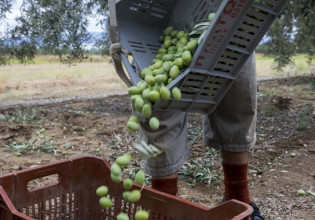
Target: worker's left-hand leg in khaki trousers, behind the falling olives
[(171, 137)]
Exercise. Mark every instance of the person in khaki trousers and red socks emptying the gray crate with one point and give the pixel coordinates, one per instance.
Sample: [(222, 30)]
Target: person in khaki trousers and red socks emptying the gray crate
[(231, 128)]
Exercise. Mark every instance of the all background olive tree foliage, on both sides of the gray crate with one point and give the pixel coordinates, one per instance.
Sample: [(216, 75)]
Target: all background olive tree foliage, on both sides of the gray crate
[(59, 27)]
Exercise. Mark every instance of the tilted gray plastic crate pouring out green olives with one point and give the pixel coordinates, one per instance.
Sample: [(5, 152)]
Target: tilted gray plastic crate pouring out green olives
[(233, 35)]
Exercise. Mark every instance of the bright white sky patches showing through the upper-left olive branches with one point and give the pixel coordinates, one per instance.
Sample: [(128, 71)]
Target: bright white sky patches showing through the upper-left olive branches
[(15, 12)]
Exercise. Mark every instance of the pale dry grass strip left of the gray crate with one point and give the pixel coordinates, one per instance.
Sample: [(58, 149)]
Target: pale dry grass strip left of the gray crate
[(24, 82)]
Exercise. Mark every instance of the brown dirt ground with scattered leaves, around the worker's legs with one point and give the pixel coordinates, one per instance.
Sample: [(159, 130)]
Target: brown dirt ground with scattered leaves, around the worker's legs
[(281, 163)]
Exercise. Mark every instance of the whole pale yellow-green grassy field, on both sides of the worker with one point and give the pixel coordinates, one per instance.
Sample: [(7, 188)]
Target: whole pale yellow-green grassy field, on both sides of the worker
[(46, 77)]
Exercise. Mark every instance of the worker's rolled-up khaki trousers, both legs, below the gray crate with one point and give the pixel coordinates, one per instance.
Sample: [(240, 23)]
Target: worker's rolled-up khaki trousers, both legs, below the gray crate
[(231, 127)]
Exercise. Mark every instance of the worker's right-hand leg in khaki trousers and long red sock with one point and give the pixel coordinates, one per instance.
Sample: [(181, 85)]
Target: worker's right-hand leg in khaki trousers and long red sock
[(231, 127)]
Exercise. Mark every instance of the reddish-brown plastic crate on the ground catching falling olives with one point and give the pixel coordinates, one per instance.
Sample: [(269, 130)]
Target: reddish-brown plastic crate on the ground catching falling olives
[(72, 196)]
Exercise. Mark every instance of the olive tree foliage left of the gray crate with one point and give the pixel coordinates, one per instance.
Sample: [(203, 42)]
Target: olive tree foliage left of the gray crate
[(57, 27)]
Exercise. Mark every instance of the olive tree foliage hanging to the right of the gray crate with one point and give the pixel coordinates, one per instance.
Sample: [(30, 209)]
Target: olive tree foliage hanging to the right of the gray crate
[(293, 32)]
